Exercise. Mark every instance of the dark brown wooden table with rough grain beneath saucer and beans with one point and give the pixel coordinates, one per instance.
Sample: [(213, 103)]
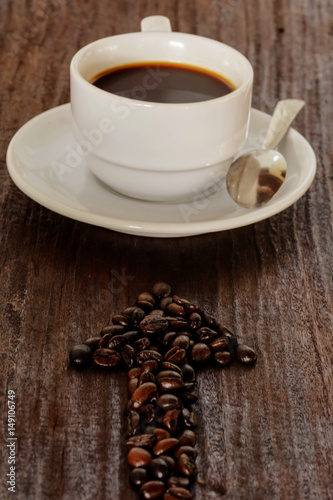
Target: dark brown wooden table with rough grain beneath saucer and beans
[(264, 433)]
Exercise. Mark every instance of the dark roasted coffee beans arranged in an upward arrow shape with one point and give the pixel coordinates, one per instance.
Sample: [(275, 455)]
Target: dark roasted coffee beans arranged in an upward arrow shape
[(161, 341)]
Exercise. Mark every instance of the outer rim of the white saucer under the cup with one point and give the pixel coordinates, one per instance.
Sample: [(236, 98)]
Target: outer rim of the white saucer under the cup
[(151, 228)]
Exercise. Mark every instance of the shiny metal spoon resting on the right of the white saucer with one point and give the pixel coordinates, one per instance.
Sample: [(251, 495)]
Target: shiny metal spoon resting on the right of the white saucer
[(255, 176)]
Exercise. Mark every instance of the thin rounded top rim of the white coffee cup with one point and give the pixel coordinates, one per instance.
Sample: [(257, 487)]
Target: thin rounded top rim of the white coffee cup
[(139, 103)]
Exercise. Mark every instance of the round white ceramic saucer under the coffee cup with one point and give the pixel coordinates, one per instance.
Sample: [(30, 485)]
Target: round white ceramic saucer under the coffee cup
[(39, 148)]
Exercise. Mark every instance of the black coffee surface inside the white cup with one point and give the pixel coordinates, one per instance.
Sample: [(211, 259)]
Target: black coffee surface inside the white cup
[(163, 82)]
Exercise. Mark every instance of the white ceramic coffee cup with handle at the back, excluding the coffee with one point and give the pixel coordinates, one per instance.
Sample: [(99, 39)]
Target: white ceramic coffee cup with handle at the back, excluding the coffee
[(159, 151)]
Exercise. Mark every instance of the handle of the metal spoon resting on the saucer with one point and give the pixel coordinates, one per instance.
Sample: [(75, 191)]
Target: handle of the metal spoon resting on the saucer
[(283, 115)]
